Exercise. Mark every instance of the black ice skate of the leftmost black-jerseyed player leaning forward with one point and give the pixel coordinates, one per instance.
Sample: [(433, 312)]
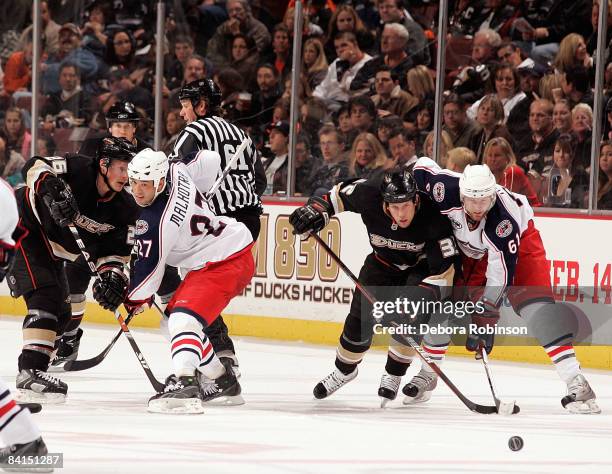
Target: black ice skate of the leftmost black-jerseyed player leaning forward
[(36, 386)]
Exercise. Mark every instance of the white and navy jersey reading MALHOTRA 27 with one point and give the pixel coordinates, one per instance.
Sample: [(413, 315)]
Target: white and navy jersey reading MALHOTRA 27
[(180, 230)]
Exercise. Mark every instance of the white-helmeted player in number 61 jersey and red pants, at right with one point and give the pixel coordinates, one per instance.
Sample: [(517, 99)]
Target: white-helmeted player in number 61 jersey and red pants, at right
[(503, 255)]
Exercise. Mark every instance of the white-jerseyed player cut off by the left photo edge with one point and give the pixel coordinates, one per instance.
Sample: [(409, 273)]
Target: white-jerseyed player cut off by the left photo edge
[(17, 430)]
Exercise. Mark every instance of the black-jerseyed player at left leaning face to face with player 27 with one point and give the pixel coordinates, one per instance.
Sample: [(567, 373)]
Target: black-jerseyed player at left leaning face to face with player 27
[(60, 191)]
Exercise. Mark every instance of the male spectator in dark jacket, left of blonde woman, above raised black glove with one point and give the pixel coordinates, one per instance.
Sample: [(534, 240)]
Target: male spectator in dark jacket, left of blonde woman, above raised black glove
[(334, 168)]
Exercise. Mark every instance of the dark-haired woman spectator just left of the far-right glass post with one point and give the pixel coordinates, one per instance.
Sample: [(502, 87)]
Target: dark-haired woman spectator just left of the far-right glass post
[(567, 184)]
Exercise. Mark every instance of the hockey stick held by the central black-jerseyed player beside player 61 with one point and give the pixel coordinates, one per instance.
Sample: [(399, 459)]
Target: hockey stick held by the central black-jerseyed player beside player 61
[(475, 407)]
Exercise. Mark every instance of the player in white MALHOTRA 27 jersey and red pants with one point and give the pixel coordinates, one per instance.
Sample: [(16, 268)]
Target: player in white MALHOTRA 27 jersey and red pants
[(213, 253)]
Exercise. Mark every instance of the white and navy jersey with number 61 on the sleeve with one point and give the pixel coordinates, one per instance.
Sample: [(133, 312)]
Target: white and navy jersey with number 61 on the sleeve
[(498, 234)]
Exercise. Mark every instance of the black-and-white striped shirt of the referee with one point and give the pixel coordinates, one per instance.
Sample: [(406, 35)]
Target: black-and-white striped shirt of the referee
[(214, 133)]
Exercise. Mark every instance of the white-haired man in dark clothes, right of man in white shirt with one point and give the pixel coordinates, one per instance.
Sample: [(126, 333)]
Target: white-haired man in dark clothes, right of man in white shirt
[(393, 41)]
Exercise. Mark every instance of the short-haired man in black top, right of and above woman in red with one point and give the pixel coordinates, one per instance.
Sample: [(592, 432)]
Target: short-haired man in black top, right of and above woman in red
[(535, 151)]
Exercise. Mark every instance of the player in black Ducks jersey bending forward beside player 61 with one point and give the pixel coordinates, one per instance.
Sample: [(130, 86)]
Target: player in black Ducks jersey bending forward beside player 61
[(413, 248)]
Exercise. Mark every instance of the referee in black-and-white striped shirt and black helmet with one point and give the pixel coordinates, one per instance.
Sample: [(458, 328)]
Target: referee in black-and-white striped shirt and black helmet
[(239, 194)]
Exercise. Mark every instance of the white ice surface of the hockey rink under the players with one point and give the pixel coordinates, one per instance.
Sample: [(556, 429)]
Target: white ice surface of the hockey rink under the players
[(104, 426)]
